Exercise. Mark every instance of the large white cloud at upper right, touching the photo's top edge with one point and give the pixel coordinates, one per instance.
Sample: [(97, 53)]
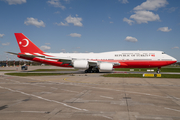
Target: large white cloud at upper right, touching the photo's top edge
[(151, 5)]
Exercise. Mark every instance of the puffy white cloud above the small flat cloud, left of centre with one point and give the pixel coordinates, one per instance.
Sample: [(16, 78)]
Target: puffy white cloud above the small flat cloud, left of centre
[(74, 20)]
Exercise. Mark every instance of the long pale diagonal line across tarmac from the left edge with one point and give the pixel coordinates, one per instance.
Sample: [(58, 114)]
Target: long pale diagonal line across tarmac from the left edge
[(43, 98)]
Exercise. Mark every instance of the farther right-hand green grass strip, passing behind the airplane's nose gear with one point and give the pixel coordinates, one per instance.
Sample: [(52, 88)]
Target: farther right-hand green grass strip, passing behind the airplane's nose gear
[(145, 69)]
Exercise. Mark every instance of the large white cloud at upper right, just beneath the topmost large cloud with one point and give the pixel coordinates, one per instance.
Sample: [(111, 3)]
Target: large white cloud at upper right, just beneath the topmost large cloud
[(144, 17)]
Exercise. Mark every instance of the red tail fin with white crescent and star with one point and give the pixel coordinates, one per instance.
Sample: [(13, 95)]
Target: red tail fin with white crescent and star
[(25, 45)]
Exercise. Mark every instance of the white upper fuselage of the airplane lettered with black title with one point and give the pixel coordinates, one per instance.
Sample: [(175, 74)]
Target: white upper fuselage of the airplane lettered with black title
[(118, 55)]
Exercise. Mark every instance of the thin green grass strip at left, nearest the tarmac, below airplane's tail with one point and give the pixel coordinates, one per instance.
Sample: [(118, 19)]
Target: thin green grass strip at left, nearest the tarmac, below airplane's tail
[(35, 74)]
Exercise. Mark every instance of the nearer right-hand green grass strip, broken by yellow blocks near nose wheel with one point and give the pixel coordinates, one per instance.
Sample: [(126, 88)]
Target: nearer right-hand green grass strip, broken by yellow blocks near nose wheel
[(141, 76)]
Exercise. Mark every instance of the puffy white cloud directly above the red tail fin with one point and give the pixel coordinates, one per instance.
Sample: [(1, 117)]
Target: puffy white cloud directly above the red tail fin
[(35, 22)]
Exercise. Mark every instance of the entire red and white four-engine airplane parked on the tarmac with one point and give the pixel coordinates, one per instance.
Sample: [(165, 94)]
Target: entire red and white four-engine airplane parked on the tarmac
[(93, 62)]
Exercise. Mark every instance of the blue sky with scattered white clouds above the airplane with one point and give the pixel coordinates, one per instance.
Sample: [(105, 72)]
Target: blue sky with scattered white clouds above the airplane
[(91, 25)]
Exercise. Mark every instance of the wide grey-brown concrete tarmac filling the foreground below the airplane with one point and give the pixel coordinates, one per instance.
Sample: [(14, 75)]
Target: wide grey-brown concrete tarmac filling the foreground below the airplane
[(88, 97)]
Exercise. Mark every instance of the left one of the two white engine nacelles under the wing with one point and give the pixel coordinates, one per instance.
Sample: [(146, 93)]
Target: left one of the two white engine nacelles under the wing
[(81, 64)]
